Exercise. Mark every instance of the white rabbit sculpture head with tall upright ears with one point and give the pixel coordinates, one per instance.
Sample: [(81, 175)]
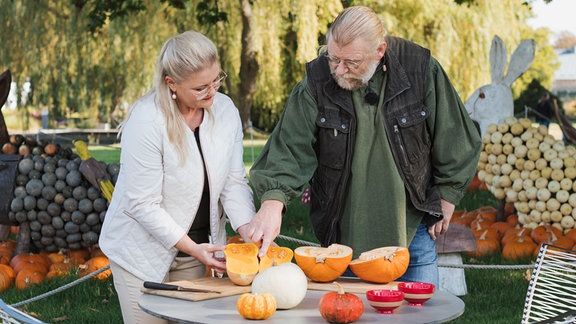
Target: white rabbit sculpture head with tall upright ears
[(492, 103)]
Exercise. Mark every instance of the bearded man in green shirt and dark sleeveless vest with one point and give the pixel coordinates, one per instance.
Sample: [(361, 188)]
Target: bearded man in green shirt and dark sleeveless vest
[(383, 139)]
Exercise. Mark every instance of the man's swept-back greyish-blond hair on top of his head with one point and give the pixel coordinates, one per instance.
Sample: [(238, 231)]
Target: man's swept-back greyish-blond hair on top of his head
[(357, 22)]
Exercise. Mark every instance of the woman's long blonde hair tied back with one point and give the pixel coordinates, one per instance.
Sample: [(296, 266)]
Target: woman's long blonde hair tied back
[(180, 57)]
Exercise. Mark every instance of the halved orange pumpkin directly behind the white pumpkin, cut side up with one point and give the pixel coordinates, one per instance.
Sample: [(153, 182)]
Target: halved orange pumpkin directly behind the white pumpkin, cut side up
[(323, 264)]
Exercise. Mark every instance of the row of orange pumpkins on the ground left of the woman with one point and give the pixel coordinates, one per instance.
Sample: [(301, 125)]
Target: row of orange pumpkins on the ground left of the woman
[(25, 269)]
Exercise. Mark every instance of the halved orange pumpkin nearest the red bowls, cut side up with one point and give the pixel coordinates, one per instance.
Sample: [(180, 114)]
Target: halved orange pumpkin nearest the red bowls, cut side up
[(381, 265)]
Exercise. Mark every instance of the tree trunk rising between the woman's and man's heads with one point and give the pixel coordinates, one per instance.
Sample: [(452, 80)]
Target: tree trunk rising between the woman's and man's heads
[(248, 66)]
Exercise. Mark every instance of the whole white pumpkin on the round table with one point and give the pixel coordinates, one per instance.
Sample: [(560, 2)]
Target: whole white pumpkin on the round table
[(286, 282)]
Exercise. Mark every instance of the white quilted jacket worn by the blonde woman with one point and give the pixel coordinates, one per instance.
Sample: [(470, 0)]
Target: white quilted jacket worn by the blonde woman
[(155, 199)]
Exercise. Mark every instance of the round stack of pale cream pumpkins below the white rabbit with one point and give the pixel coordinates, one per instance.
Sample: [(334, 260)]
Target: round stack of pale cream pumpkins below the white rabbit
[(527, 166)]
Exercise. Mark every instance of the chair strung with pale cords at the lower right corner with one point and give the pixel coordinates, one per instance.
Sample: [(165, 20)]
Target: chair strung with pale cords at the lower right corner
[(551, 295)]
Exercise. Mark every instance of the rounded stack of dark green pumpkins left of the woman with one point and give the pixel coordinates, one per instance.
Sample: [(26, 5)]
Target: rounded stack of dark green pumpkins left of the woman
[(51, 196)]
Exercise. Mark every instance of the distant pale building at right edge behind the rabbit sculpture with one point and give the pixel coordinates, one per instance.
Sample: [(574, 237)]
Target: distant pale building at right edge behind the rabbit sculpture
[(564, 84)]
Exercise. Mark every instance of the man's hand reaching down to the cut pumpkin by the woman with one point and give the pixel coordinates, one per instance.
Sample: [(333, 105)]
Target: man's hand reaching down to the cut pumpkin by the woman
[(265, 225)]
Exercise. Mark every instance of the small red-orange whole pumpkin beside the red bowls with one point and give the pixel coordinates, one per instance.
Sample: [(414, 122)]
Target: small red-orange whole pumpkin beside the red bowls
[(341, 307)]
